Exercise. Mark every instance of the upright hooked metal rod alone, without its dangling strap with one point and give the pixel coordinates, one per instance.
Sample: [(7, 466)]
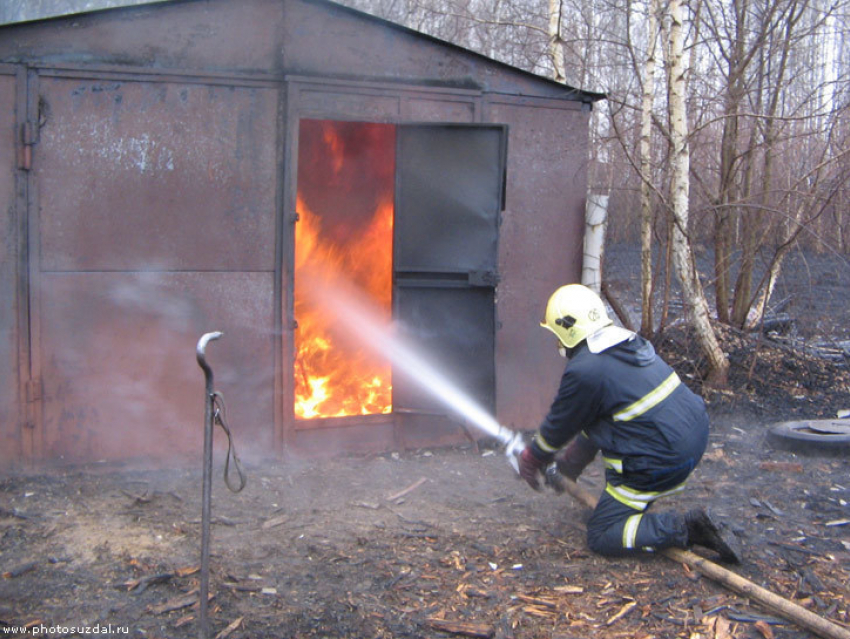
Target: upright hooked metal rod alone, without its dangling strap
[(206, 498)]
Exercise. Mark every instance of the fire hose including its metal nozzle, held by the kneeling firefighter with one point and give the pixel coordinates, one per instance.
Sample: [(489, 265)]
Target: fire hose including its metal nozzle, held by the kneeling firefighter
[(773, 602)]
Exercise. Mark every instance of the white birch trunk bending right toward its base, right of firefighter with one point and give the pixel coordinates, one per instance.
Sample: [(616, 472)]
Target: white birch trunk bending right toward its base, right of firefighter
[(683, 258)]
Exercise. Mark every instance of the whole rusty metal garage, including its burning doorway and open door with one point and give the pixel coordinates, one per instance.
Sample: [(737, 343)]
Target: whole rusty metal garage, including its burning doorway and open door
[(166, 175)]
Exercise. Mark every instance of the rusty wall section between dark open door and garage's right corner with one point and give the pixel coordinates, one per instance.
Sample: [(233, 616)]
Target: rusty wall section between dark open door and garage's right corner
[(540, 246)]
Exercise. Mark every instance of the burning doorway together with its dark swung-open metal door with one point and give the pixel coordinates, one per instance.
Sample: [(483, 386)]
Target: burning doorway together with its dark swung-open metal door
[(403, 218)]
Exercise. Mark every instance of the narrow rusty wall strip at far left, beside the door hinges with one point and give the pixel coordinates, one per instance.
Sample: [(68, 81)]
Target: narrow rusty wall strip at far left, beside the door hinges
[(10, 448)]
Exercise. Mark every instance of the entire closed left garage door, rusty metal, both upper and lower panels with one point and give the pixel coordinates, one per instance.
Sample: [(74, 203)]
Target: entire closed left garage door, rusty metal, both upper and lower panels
[(155, 224)]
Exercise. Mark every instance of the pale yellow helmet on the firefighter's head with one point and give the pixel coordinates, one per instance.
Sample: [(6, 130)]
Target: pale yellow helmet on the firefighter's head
[(574, 312)]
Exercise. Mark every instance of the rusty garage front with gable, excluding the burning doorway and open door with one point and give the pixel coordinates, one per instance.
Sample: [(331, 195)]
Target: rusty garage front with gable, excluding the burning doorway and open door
[(164, 195)]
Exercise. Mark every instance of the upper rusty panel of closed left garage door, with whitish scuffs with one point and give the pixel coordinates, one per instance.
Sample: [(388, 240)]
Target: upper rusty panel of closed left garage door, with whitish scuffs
[(153, 175)]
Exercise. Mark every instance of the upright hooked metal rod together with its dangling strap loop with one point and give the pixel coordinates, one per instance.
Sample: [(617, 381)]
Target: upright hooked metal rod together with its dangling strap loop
[(214, 413)]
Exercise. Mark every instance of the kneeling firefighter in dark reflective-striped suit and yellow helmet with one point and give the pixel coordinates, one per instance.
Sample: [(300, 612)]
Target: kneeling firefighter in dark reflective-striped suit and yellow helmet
[(618, 396)]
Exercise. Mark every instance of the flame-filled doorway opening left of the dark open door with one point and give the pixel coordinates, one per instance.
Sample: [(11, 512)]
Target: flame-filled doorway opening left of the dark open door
[(344, 235)]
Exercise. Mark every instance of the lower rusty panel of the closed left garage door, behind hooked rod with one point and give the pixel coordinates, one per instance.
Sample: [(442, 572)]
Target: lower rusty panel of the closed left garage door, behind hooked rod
[(120, 377)]
